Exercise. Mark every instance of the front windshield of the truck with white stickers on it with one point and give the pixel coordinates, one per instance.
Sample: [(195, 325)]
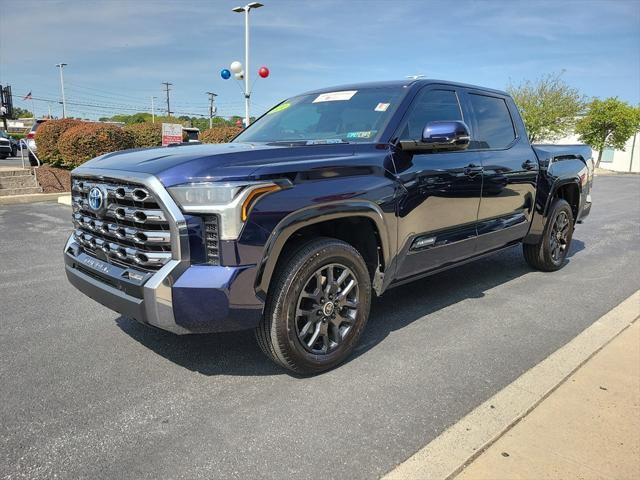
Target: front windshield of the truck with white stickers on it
[(333, 117)]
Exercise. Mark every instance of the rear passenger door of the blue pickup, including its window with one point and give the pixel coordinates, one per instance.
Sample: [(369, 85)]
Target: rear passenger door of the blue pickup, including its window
[(509, 169)]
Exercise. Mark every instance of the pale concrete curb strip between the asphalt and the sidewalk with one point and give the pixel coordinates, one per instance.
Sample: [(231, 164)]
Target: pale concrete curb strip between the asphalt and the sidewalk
[(446, 455)]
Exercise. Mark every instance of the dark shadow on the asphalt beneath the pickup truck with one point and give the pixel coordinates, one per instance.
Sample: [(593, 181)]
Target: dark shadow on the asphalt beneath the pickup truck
[(237, 353)]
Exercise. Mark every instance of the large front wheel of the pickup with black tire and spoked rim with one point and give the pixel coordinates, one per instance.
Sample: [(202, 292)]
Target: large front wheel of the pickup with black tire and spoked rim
[(291, 307)]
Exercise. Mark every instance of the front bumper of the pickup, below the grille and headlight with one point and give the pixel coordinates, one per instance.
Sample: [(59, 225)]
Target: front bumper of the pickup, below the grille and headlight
[(198, 299)]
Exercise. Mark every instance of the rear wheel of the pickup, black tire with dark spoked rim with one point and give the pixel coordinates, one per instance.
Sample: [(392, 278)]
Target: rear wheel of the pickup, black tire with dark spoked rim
[(550, 253)]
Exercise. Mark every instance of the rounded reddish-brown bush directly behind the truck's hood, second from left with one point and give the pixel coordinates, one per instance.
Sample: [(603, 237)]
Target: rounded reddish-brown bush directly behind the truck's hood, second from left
[(88, 140)]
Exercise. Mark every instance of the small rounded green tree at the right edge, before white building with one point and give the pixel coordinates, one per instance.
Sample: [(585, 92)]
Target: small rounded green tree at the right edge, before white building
[(608, 123)]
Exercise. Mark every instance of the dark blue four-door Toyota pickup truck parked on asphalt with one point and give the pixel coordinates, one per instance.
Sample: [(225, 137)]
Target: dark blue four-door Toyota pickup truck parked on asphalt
[(329, 198)]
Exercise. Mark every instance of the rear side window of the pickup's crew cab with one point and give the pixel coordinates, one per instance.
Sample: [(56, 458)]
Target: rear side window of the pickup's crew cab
[(494, 124)]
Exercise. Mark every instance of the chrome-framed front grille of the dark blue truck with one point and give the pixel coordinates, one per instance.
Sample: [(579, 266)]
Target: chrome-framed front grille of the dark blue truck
[(129, 229)]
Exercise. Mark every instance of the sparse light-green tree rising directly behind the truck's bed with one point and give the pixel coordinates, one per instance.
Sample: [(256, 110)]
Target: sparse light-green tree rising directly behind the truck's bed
[(548, 105)]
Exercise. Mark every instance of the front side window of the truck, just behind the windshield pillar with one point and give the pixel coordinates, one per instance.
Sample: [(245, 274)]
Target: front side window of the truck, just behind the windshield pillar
[(430, 106)]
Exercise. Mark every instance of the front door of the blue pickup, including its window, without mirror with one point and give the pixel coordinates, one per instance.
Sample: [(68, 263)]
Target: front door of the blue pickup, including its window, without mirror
[(438, 208)]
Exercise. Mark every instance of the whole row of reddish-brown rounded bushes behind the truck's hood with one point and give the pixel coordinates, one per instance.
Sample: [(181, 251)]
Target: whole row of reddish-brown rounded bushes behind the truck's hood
[(72, 142)]
